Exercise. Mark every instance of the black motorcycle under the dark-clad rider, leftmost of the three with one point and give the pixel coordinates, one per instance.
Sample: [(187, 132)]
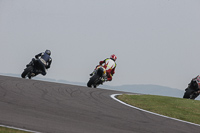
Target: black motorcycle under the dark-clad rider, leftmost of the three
[(31, 70)]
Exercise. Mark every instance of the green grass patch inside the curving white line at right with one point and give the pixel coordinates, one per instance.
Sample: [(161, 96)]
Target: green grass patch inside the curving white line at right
[(183, 109)]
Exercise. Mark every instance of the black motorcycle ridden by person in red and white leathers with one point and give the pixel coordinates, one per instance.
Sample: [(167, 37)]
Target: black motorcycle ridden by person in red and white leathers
[(98, 77)]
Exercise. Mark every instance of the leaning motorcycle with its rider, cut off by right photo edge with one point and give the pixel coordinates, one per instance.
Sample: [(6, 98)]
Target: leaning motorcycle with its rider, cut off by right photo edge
[(193, 89)]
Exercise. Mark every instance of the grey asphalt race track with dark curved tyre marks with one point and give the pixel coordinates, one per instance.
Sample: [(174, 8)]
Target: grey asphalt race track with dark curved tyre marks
[(60, 108)]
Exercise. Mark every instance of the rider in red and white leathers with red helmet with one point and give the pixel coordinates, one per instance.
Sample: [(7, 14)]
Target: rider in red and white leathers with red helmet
[(109, 64)]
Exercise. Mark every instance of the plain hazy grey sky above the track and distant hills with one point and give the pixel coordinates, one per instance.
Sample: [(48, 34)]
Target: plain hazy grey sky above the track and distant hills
[(155, 41)]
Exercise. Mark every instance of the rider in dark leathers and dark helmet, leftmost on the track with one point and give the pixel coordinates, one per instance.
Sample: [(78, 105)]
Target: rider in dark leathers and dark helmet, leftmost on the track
[(44, 62)]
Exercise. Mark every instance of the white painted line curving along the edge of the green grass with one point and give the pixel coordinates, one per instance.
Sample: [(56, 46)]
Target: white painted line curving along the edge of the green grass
[(114, 97)]
